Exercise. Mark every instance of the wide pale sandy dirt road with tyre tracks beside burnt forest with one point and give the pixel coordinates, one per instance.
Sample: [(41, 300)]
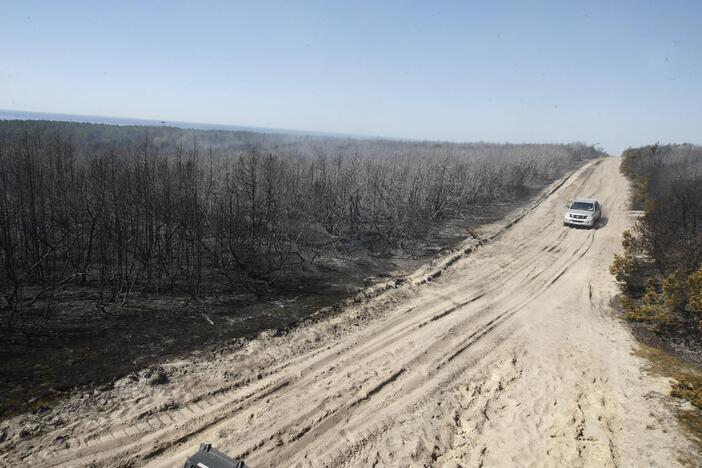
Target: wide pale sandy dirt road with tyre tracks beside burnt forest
[(511, 357)]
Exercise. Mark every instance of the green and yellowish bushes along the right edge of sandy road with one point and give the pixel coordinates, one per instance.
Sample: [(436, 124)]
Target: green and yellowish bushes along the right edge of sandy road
[(660, 269)]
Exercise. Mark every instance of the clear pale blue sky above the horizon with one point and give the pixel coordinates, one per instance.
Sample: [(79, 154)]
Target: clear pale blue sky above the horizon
[(621, 73)]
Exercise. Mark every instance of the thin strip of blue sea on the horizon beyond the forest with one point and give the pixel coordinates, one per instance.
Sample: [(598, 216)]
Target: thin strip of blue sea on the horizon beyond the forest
[(23, 115)]
